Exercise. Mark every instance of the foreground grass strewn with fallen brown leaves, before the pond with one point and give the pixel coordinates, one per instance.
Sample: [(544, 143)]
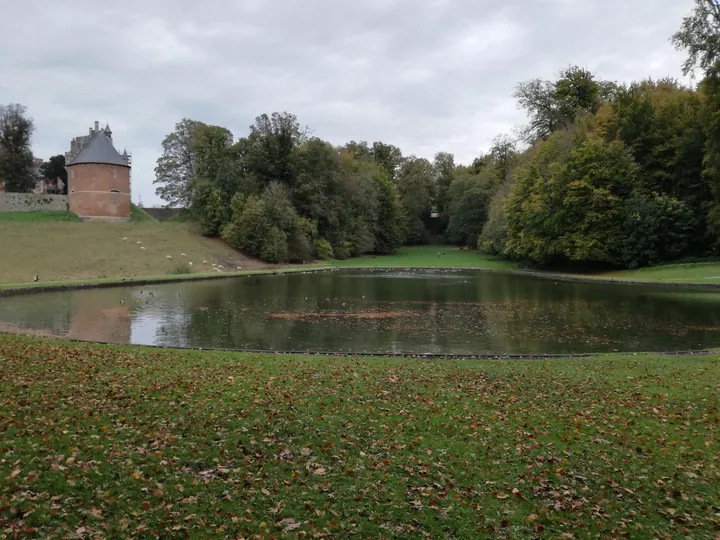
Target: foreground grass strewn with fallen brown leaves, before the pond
[(124, 441)]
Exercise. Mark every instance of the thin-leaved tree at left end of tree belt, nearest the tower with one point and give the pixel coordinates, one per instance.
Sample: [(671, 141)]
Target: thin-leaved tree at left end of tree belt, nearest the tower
[(176, 169)]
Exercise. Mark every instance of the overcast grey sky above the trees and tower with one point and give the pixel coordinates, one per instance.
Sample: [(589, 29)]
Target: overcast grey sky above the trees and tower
[(425, 75)]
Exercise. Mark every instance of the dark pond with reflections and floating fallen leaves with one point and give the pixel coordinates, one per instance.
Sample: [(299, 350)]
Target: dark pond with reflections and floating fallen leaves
[(384, 311)]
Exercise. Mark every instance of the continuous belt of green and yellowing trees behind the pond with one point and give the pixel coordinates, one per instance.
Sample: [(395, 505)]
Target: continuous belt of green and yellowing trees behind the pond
[(613, 175)]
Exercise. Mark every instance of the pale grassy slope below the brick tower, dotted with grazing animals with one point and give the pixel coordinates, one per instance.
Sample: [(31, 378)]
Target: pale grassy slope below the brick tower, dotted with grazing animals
[(62, 250)]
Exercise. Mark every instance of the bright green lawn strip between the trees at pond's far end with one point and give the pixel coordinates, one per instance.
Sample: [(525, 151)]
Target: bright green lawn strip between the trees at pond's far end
[(427, 257)]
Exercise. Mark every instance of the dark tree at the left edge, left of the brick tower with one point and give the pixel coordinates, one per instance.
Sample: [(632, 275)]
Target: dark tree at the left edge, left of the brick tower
[(16, 158)]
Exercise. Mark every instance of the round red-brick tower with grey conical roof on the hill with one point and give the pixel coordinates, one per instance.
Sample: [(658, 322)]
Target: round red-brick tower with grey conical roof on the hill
[(98, 177)]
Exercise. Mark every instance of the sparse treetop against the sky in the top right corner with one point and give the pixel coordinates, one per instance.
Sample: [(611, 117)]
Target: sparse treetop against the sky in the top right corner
[(699, 36)]
